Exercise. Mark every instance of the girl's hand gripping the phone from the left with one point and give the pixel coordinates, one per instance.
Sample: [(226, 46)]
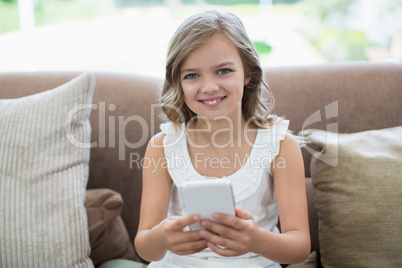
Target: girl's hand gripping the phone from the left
[(178, 241)]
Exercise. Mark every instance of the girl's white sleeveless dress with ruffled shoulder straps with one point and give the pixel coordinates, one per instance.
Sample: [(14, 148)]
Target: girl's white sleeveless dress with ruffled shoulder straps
[(252, 187)]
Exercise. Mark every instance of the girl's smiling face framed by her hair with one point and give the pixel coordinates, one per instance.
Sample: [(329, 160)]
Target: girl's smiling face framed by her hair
[(212, 78)]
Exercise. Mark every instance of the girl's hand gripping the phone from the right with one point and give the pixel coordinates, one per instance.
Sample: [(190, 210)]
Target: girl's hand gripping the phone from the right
[(233, 236)]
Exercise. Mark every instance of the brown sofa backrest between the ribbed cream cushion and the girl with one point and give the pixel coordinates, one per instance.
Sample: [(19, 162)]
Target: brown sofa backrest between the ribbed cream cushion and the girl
[(127, 103)]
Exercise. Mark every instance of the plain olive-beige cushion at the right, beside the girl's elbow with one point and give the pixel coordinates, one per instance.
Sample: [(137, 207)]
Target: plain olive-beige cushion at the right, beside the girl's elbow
[(358, 195)]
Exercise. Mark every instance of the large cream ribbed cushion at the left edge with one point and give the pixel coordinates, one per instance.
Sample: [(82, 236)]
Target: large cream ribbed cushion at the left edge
[(43, 176)]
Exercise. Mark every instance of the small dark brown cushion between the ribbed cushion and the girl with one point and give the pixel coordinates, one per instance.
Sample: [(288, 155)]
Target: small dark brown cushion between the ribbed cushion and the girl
[(108, 235)]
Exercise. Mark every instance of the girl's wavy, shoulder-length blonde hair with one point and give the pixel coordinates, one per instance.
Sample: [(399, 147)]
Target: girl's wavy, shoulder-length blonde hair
[(195, 31)]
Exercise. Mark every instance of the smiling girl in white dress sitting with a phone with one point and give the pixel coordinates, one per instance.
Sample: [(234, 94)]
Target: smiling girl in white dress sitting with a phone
[(220, 127)]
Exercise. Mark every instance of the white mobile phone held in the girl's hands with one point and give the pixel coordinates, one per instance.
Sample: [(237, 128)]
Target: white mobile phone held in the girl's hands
[(206, 197)]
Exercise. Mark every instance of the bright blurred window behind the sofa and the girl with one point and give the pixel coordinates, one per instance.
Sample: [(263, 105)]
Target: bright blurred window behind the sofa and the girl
[(132, 35)]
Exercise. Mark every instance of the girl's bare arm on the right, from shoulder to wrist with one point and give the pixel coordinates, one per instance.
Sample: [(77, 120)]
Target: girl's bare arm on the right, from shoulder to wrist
[(293, 244)]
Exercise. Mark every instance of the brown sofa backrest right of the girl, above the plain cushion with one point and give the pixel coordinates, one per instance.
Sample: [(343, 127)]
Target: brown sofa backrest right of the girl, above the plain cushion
[(351, 97)]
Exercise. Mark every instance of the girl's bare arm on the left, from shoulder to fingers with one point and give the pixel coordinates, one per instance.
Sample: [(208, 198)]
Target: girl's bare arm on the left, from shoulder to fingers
[(156, 233)]
